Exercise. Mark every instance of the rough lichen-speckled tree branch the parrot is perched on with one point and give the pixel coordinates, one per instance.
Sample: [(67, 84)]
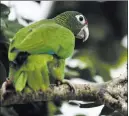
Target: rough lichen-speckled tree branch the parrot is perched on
[(112, 94)]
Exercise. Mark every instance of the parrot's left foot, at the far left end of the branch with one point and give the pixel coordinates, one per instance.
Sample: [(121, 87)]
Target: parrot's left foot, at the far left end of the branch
[(7, 88)]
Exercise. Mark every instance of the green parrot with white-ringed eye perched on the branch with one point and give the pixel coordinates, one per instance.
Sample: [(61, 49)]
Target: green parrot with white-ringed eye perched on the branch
[(40, 50)]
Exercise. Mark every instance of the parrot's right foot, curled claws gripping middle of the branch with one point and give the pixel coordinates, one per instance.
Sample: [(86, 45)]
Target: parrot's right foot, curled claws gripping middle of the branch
[(72, 88)]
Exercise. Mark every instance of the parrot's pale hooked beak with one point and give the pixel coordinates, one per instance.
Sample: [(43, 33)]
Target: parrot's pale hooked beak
[(84, 33)]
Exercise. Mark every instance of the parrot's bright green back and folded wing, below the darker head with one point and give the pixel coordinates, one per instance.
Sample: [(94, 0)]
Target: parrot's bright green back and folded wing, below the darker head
[(42, 39)]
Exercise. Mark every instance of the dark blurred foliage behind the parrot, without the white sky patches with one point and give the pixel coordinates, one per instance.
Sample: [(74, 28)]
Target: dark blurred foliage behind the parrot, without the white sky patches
[(100, 53)]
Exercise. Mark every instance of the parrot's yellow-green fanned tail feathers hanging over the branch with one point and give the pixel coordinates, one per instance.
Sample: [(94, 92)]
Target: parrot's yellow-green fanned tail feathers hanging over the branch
[(33, 73)]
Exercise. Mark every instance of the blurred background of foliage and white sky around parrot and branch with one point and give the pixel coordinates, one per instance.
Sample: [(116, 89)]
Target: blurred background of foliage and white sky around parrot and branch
[(102, 57)]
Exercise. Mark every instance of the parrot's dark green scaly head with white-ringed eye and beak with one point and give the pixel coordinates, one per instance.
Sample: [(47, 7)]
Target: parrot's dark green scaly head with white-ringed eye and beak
[(74, 21)]
